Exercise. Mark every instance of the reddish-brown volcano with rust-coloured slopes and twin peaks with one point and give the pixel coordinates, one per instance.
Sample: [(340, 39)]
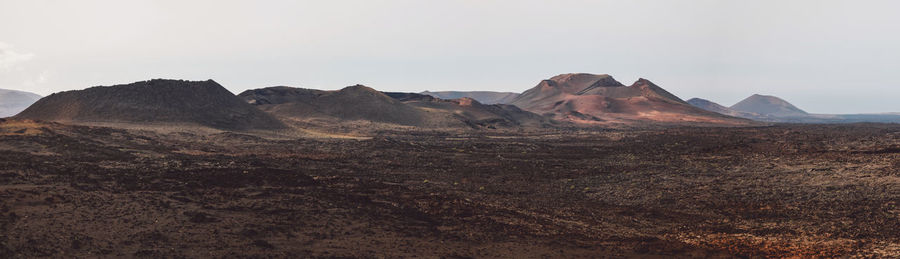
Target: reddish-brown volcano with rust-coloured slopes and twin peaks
[(589, 98)]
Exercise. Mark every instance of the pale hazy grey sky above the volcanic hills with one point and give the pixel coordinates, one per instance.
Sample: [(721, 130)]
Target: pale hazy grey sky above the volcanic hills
[(823, 56)]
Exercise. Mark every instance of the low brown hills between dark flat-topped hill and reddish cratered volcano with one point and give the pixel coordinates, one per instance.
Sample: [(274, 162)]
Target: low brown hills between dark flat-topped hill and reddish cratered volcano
[(361, 103)]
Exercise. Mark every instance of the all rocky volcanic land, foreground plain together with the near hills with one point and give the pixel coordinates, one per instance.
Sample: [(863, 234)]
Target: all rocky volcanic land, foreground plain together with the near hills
[(170, 168)]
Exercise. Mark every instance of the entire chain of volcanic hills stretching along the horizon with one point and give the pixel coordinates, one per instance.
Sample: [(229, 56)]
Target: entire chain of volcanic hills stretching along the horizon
[(566, 99)]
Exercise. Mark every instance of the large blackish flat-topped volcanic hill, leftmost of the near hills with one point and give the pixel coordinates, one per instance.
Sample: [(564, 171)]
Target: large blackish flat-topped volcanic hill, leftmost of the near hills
[(158, 101)]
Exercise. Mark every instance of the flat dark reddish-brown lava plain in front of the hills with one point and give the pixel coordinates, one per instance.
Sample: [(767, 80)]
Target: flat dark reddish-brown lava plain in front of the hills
[(73, 191)]
